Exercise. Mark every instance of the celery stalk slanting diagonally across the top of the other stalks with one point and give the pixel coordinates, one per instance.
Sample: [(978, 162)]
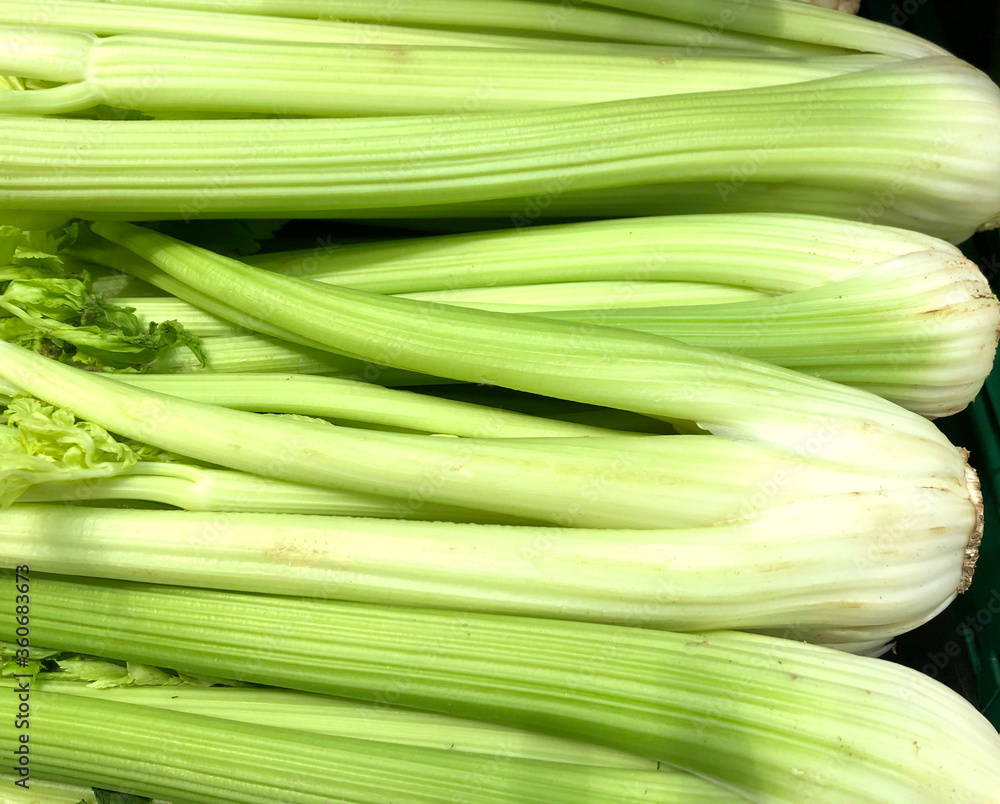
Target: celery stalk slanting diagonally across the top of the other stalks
[(584, 363)]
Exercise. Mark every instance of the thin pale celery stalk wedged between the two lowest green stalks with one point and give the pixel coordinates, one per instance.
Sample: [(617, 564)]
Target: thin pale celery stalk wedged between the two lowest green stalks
[(323, 714)]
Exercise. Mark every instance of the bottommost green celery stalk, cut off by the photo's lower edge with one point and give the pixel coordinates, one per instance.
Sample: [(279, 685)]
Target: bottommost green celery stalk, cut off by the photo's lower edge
[(189, 757)]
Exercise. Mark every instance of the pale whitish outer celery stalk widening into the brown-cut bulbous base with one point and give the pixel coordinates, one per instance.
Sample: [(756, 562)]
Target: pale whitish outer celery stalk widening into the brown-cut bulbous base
[(836, 569)]
